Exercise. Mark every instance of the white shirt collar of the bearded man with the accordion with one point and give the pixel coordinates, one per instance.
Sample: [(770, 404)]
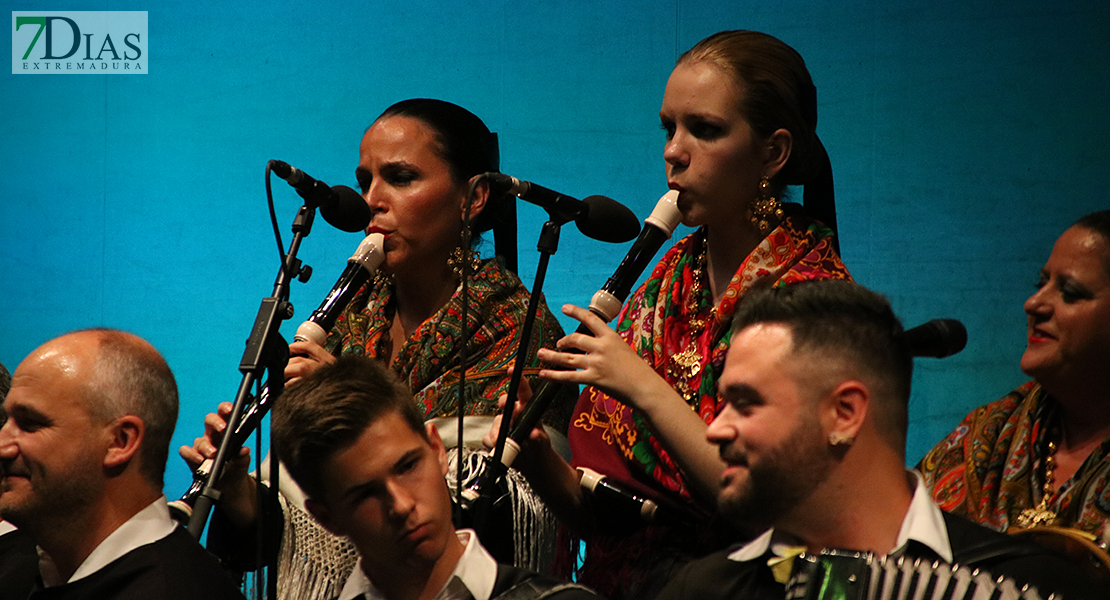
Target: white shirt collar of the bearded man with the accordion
[(923, 523)]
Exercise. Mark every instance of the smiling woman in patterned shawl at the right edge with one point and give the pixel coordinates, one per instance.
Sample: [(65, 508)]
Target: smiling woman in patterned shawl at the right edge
[(1041, 456)]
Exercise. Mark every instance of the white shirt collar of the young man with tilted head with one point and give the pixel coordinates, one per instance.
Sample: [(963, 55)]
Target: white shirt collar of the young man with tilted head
[(473, 577)]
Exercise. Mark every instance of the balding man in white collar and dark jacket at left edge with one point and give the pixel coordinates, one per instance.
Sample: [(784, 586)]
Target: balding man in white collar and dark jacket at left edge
[(83, 454)]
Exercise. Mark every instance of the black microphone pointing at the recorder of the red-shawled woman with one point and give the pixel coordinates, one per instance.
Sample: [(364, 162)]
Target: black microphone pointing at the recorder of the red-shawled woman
[(599, 218)]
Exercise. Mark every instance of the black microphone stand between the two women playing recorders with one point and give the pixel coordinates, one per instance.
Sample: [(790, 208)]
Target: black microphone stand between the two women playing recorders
[(483, 505)]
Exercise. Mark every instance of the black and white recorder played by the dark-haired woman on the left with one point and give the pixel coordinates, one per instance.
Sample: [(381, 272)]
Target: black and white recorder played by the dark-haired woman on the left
[(361, 267)]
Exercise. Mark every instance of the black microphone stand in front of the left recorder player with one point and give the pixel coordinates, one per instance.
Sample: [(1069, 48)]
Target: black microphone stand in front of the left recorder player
[(266, 351)]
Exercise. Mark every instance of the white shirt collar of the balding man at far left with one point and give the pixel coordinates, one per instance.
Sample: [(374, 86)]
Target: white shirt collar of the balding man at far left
[(147, 526)]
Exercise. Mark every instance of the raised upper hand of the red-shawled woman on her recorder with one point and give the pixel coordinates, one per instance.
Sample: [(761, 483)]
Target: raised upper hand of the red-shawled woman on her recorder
[(609, 363)]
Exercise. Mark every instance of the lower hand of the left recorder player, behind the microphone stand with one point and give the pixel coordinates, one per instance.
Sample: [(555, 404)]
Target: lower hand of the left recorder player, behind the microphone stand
[(236, 485)]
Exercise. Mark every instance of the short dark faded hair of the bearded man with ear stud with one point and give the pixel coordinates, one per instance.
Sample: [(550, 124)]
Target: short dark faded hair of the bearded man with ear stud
[(845, 323)]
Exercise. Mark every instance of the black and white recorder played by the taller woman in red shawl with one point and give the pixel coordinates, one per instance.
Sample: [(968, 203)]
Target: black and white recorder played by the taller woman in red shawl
[(607, 304)]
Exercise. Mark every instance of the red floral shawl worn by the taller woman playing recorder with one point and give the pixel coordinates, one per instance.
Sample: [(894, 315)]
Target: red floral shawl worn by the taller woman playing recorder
[(613, 439)]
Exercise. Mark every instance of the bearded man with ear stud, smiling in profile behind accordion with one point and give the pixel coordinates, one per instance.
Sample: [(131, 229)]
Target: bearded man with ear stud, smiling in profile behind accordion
[(813, 432)]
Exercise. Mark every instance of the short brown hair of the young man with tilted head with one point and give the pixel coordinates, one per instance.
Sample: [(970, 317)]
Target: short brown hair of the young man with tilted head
[(328, 412)]
